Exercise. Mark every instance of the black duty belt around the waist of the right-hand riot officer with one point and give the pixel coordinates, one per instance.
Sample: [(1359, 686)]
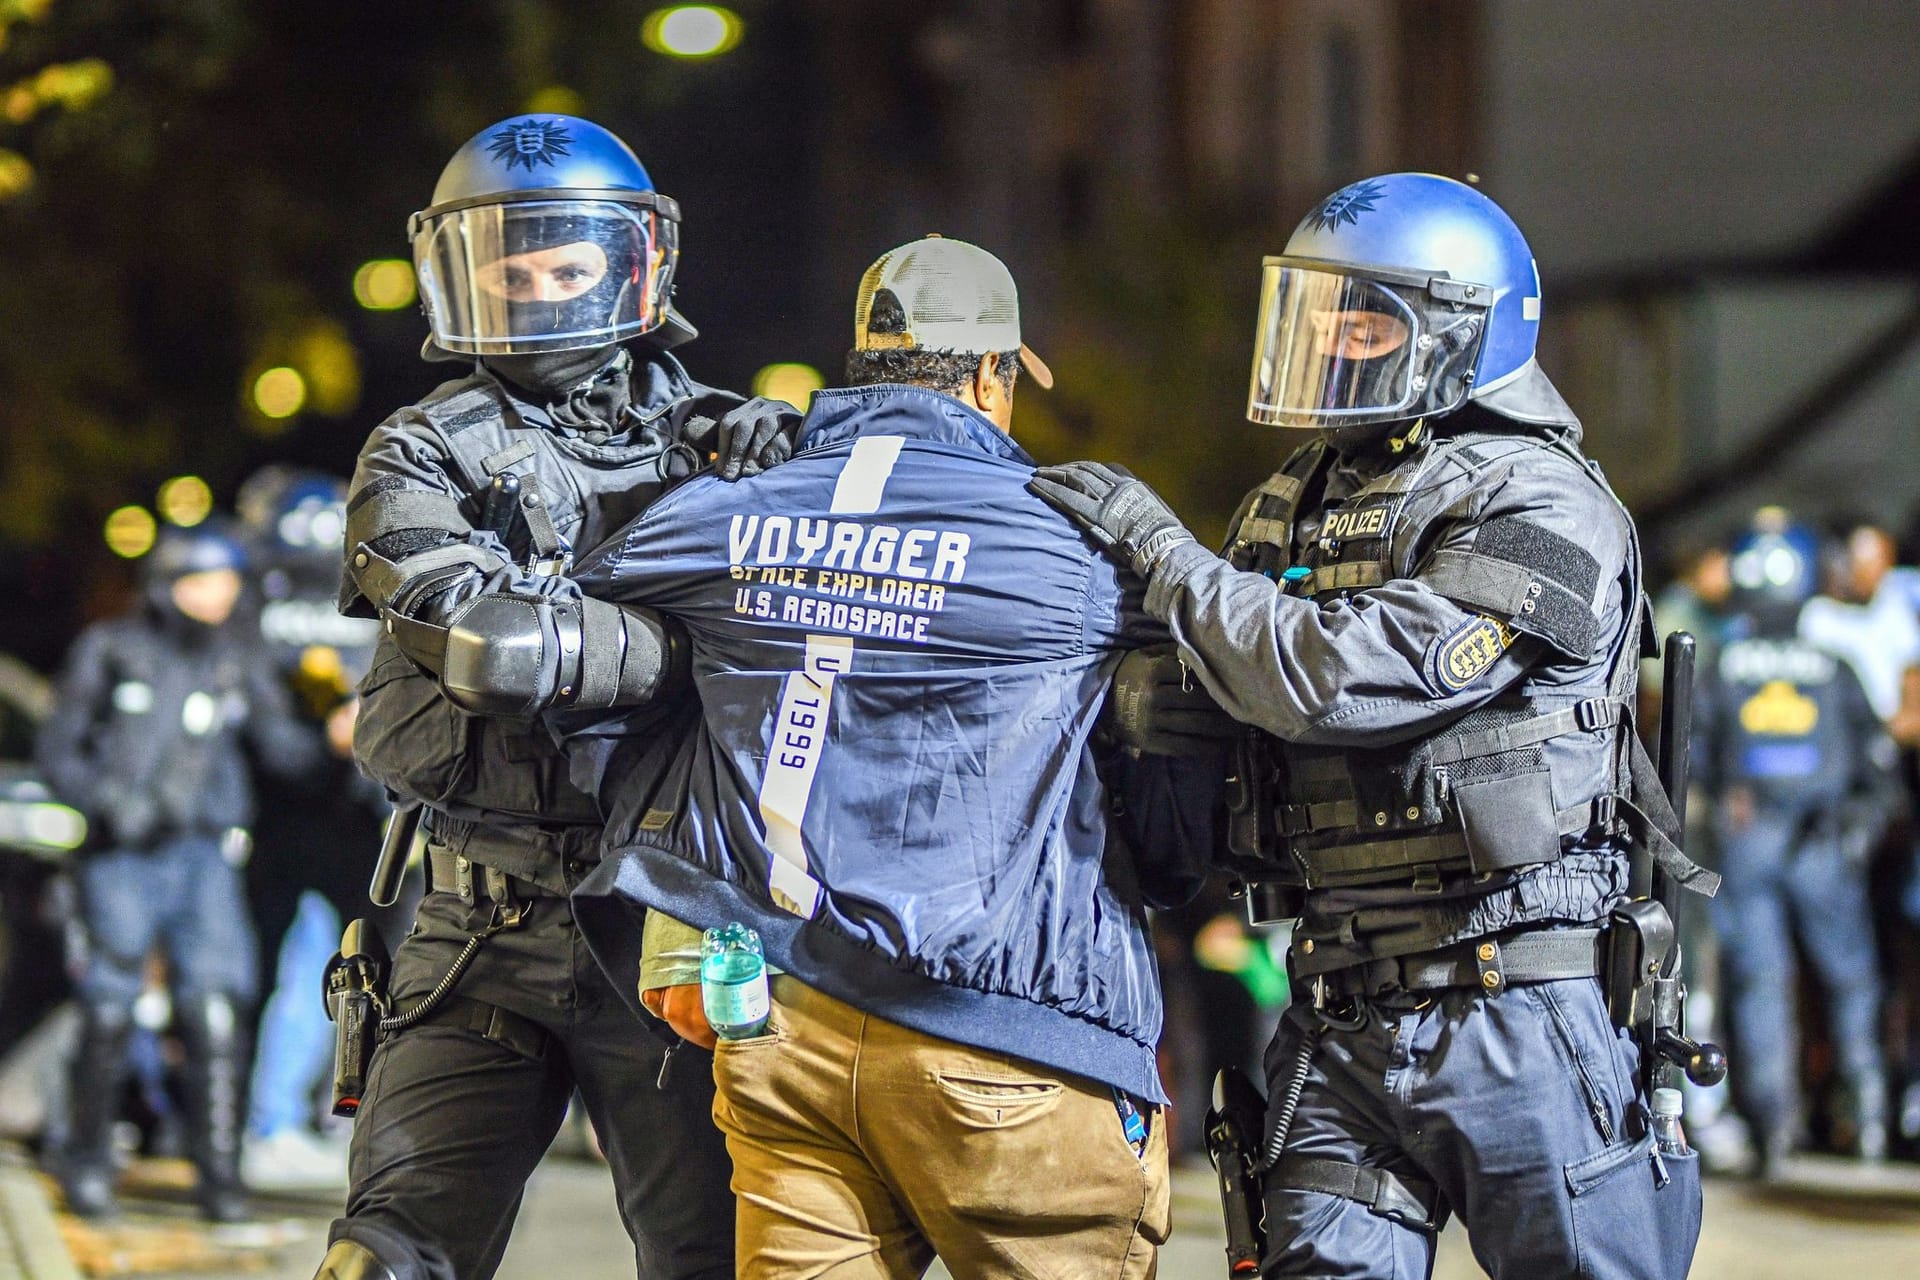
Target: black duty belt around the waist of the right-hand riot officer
[(1483, 964)]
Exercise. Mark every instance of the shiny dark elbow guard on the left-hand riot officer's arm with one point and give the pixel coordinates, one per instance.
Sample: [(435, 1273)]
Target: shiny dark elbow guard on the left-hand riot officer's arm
[(514, 655)]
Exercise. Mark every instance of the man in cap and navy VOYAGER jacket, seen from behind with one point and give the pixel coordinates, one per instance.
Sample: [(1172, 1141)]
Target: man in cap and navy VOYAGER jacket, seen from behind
[(894, 782)]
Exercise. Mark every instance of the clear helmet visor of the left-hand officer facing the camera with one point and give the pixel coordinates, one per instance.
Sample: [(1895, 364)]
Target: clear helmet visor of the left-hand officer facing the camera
[(544, 275)]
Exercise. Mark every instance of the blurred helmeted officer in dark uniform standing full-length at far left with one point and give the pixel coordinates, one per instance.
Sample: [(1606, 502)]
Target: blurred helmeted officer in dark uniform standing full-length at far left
[(147, 742)]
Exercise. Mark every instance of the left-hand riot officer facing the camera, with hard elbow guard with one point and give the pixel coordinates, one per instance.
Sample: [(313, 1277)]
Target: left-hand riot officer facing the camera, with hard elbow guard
[(544, 252)]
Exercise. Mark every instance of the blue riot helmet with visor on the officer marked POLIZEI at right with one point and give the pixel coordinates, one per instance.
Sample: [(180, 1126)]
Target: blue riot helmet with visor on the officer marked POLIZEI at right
[(1401, 298)]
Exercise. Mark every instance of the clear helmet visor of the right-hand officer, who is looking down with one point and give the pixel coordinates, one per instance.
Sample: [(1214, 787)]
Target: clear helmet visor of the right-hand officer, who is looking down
[(1341, 350)]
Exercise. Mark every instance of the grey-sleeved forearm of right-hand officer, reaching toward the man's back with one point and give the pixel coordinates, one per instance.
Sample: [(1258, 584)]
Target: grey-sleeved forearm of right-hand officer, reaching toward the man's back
[(1345, 675)]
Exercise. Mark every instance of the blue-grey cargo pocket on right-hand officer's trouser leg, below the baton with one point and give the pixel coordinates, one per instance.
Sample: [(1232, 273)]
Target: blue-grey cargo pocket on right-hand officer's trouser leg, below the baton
[(1625, 1223)]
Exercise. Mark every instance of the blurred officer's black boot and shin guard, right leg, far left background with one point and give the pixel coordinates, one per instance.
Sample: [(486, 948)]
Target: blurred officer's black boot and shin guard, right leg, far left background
[(216, 1041)]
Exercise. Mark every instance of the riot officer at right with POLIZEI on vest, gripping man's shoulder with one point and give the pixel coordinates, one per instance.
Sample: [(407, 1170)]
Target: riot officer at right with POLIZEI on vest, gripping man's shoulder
[(1431, 617)]
